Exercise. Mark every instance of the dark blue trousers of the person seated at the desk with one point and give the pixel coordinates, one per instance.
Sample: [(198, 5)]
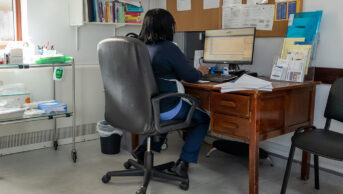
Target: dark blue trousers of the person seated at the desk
[(195, 135)]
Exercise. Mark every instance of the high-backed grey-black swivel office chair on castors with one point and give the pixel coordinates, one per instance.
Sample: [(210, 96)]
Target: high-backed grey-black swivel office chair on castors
[(132, 104)]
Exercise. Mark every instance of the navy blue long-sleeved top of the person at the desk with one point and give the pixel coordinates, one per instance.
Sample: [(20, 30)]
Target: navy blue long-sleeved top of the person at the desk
[(168, 62)]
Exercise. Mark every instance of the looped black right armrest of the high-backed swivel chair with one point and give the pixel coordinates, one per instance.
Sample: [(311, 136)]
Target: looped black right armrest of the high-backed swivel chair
[(156, 108)]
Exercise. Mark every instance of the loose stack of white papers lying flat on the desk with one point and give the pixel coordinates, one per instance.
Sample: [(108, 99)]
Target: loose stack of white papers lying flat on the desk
[(246, 82)]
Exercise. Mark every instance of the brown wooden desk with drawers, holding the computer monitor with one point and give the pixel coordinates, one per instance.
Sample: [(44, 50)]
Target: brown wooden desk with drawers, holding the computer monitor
[(258, 115)]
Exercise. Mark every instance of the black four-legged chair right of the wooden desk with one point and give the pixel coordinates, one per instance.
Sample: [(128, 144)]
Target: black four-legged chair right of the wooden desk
[(320, 142)]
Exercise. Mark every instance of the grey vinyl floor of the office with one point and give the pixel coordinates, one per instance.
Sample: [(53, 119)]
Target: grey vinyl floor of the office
[(47, 171)]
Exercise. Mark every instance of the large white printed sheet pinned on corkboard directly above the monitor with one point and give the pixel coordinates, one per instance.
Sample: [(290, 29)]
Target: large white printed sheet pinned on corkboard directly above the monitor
[(238, 16)]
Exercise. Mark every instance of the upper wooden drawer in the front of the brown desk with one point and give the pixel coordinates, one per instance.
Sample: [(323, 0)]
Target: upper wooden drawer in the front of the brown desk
[(232, 104)]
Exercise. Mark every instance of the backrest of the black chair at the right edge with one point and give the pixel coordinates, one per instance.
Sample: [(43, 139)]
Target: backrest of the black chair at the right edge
[(334, 106)]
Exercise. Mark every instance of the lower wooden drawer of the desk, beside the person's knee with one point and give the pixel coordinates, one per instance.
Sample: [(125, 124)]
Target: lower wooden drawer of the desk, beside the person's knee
[(230, 126)]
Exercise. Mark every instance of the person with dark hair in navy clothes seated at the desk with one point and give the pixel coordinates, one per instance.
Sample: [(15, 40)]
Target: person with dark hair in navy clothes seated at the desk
[(170, 66)]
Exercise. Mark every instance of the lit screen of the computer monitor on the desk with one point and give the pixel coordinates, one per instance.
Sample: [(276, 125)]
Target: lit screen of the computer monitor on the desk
[(233, 46)]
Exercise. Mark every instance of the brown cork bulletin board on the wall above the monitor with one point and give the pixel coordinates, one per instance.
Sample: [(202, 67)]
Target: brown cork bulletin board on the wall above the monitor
[(198, 19)]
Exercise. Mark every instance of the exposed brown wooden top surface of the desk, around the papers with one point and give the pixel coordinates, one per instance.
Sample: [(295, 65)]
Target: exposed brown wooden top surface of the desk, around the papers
[(277, 86)]
